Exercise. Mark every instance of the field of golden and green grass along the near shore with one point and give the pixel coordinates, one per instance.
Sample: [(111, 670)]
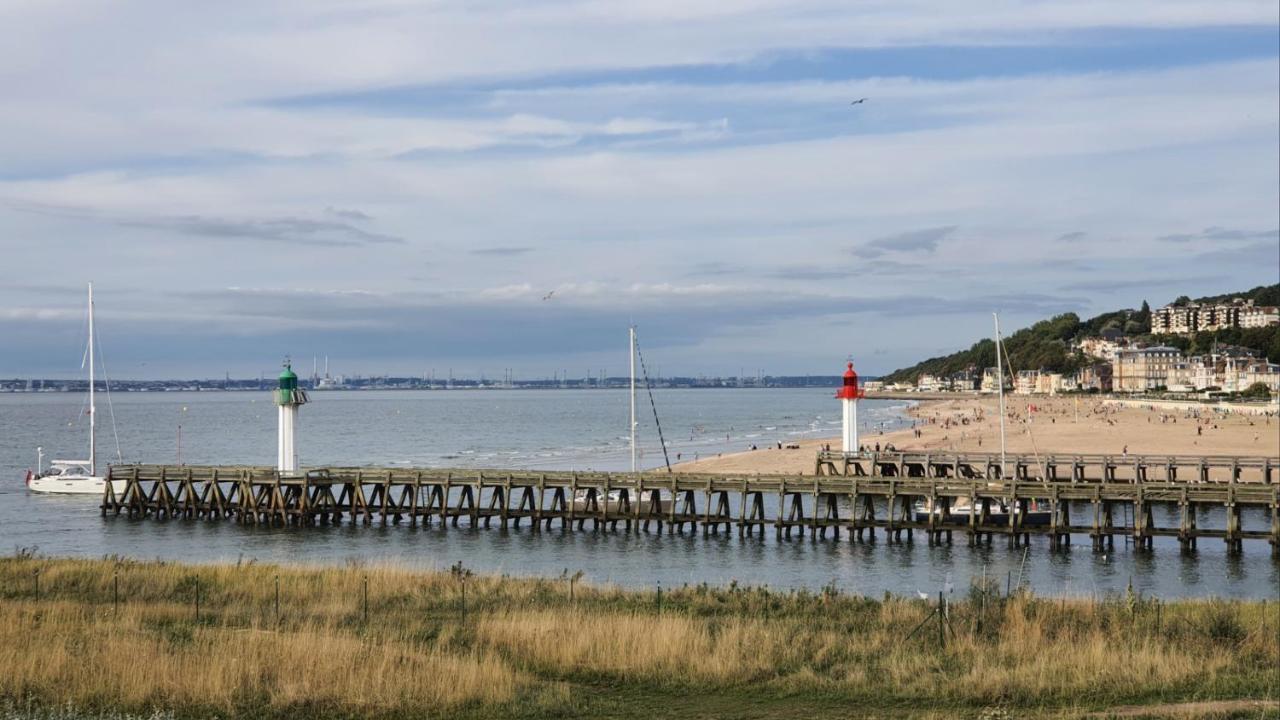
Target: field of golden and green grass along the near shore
[(115, 637)]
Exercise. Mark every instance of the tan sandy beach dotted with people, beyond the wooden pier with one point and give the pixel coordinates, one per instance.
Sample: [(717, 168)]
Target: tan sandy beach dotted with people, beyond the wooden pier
[(1035, 425)]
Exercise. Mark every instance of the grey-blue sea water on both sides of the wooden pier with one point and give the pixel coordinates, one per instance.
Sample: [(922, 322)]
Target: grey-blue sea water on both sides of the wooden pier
[(573, 430)]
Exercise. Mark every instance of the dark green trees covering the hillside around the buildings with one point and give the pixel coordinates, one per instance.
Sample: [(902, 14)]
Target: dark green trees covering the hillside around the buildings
[(1048, 344)]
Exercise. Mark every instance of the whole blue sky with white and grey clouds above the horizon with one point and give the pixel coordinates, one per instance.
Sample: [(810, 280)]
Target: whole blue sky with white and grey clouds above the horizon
[(413, 188)]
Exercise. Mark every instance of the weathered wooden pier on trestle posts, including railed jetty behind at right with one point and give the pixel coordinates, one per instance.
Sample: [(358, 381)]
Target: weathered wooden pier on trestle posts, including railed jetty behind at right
[(1100, 498)]
